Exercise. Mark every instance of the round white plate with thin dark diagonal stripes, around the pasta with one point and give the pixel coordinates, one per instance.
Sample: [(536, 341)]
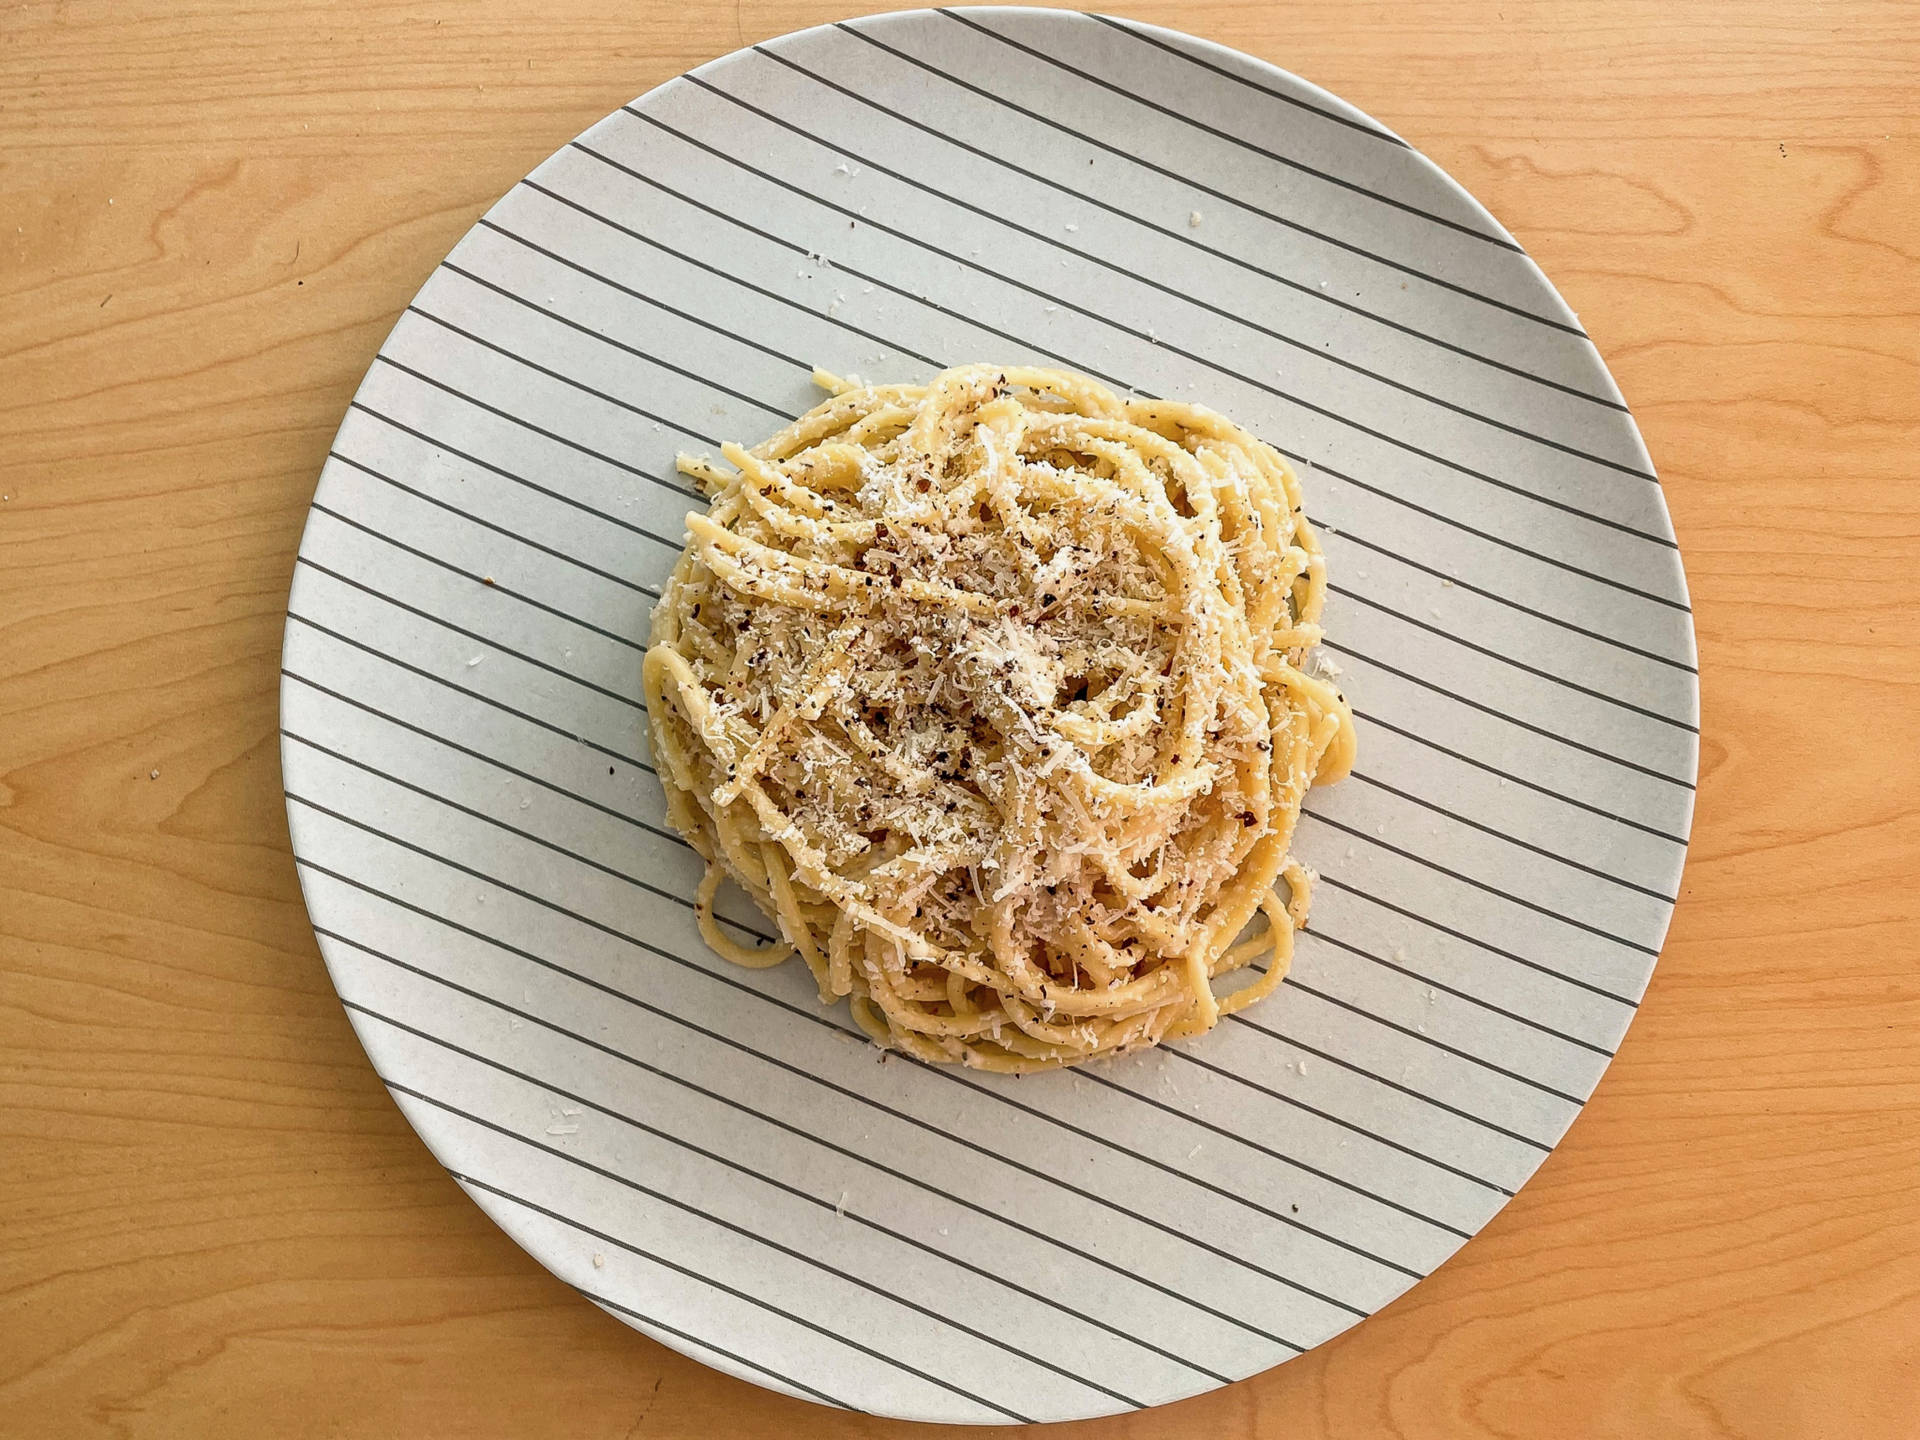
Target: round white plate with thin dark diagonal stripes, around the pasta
[(706, 1151)]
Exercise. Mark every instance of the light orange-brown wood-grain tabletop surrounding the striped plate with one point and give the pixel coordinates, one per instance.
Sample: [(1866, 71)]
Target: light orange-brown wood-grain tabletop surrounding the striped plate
[(212, 1218)]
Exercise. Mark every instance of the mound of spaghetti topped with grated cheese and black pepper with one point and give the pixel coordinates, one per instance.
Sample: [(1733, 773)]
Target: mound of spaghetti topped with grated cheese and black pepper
[(992, 694)]
